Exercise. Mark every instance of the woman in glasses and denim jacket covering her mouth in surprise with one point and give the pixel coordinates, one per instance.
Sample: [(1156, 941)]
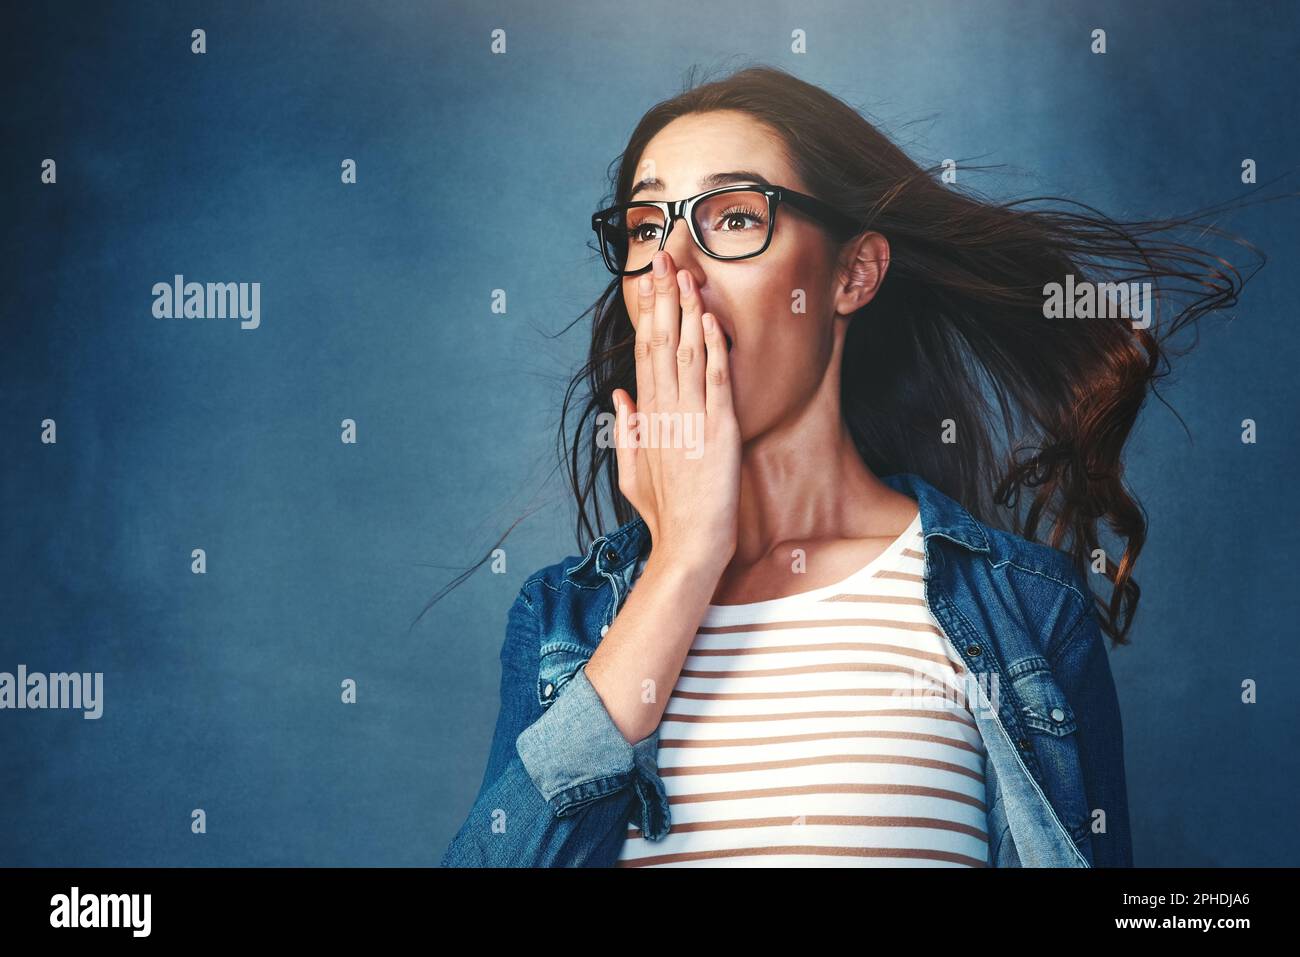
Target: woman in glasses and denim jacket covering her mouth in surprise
[(814, 640)]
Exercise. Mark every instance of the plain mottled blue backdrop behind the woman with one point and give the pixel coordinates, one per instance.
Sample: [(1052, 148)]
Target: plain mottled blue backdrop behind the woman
[(480, 172)]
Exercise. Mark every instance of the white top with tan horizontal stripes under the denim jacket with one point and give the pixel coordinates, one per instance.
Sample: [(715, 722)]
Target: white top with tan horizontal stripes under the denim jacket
[(827, 729)]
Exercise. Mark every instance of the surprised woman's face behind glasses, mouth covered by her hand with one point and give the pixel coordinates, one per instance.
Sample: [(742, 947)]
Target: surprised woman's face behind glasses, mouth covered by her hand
[(779, 308)]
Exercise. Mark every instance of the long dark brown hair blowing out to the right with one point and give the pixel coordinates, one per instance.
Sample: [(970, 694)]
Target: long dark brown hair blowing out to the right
[(956, 341)]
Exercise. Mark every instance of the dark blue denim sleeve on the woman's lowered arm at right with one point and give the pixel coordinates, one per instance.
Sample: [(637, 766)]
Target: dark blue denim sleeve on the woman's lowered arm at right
[(1084, 668)]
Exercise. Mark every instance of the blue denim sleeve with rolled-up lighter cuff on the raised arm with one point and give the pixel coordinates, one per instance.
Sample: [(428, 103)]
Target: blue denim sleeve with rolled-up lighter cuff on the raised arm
[(561, 783)]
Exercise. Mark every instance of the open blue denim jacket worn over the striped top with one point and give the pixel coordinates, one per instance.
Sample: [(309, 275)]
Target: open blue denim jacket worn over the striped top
[(562, 782)]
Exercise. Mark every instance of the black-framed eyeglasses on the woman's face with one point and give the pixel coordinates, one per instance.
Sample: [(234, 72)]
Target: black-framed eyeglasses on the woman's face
[(729, 223)]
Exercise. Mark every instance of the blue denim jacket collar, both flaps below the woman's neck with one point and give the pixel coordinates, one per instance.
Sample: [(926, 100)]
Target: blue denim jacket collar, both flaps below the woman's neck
[(941, 516)]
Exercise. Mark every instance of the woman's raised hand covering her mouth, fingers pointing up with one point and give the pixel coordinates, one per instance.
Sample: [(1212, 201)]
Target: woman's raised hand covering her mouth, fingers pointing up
[(681, 467)]
